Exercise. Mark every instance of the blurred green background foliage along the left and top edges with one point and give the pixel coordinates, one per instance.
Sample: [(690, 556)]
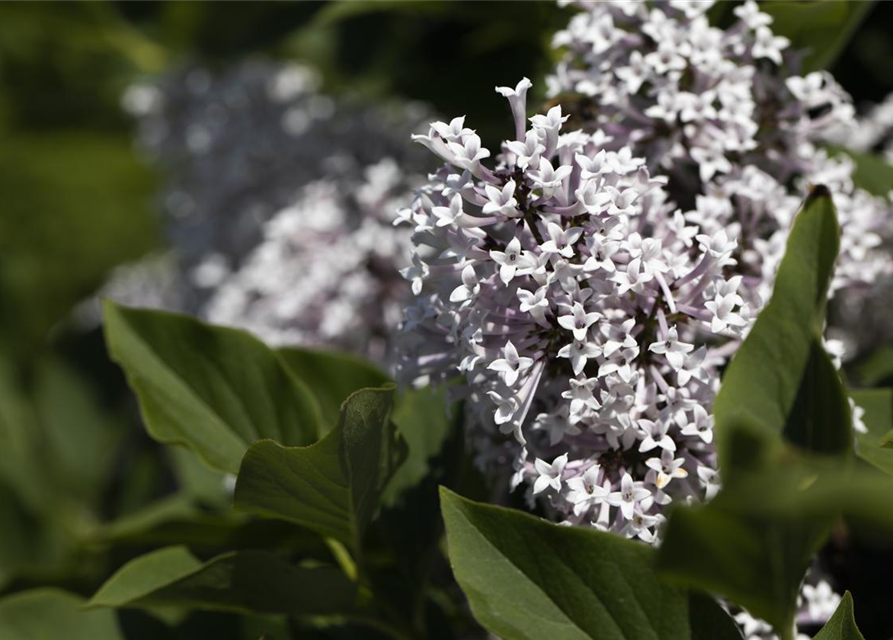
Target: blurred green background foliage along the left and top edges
[(76, 199)]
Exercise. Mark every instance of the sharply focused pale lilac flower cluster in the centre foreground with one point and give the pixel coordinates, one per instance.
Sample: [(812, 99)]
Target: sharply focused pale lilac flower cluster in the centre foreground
[(586, 315)]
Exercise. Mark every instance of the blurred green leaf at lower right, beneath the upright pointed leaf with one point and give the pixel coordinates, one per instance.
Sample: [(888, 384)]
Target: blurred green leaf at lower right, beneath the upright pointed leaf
[(755, 540)]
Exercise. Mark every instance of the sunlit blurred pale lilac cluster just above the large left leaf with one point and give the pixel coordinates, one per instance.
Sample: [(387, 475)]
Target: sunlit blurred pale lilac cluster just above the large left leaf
[(290, 290)]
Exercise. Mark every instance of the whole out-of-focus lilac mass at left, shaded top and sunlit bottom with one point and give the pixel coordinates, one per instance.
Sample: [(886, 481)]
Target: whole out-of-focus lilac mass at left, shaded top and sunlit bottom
[(279, 200)]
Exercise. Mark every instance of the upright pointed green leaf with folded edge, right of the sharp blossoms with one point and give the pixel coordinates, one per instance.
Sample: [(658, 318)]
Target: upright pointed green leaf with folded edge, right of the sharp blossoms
[(781, 380)]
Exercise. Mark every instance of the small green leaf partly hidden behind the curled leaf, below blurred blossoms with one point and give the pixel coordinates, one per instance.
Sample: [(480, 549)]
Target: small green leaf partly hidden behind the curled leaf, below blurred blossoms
[(331, 376)]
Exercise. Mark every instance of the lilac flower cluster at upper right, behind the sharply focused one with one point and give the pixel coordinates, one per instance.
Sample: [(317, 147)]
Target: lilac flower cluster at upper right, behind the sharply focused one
[(721, 114)]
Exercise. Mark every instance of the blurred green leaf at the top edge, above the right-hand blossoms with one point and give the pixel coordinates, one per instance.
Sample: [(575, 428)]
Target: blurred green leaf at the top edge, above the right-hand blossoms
[(820, 27)]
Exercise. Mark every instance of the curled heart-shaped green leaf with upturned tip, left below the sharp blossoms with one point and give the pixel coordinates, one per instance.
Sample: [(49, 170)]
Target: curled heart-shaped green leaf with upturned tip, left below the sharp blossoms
[(332, 487)]
